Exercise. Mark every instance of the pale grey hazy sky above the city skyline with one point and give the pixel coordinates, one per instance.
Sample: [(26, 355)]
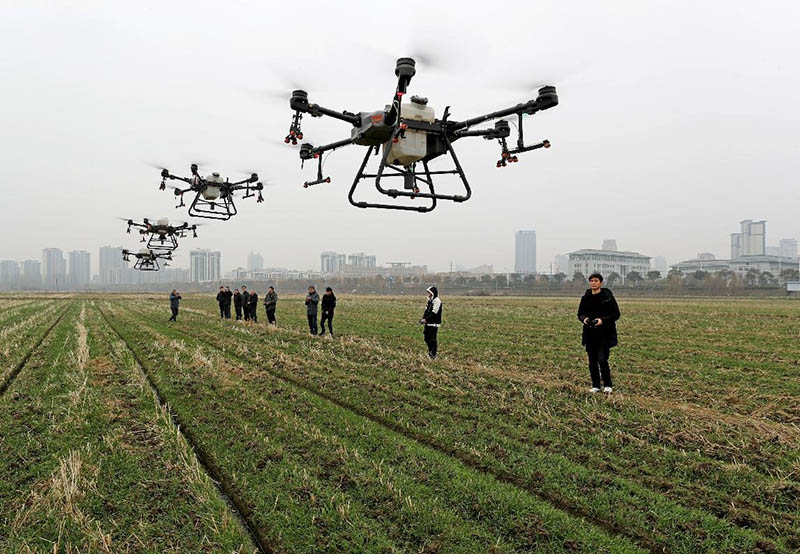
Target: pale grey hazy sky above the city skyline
[(677, 120)]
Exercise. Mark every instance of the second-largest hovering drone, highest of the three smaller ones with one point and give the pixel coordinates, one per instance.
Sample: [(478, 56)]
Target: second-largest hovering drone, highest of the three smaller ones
[(213, 197)]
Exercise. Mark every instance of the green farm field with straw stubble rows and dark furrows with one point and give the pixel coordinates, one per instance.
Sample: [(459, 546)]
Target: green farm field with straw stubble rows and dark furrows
[(123, 432)]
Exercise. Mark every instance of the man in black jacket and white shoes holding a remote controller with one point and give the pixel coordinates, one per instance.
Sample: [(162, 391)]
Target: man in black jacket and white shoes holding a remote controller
[(598, 312)]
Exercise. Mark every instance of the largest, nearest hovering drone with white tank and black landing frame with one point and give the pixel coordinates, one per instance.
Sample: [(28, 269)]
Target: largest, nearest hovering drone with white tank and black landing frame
[(407, 135)]
